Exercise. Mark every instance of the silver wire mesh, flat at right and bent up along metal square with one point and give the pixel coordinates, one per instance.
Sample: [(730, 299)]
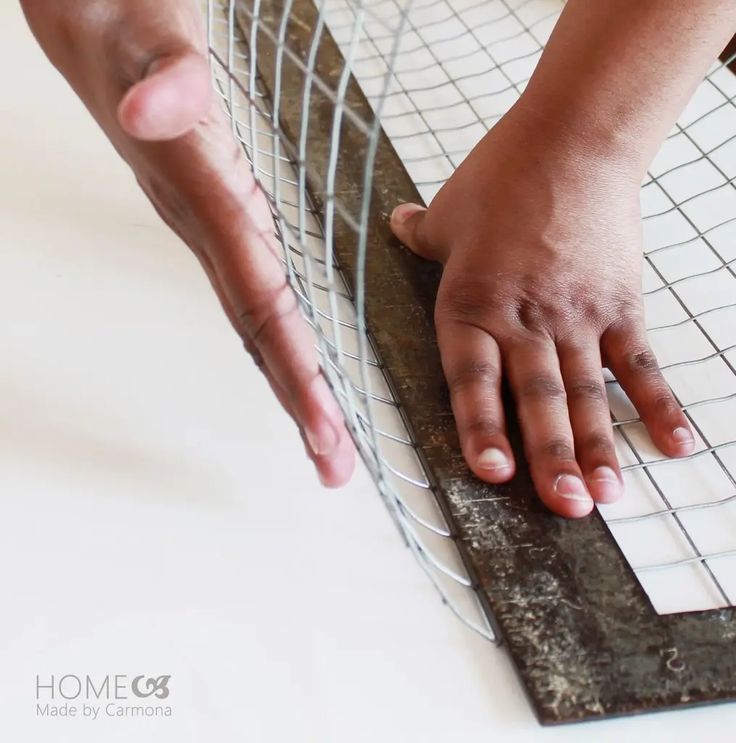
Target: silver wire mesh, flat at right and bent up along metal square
[(438, 74)]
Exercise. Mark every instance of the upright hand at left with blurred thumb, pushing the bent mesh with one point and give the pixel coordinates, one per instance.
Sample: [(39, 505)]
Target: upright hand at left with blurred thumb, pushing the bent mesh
[(141, 68)]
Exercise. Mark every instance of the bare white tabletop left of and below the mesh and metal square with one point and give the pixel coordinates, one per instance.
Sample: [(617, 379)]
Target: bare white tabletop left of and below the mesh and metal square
[(158, 515)]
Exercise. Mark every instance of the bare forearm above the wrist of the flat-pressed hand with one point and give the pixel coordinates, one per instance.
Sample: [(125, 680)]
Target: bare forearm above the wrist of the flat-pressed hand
[(616, 73)]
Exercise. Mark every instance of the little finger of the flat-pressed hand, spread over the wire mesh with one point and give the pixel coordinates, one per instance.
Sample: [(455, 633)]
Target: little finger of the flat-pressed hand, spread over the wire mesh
[(632, 361)]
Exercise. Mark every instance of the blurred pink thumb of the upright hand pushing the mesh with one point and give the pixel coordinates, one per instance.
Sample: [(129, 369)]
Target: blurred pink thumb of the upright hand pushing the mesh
[(173, 95)]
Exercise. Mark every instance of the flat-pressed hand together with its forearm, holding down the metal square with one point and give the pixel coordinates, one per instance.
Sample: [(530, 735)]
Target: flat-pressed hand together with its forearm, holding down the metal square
[(539, 231)]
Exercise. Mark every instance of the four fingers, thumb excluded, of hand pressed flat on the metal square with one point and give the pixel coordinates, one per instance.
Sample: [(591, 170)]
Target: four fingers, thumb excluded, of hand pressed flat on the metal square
[(562, 408)]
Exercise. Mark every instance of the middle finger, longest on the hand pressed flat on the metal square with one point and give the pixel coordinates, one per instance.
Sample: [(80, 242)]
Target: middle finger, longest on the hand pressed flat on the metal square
[(534, 374)]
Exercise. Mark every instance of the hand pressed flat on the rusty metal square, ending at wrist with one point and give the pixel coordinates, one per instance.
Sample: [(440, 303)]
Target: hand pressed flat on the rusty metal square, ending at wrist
[(542, 253)]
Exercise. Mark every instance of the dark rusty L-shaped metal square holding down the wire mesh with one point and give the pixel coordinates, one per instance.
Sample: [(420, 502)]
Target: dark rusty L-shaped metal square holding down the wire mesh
[(582, 634)]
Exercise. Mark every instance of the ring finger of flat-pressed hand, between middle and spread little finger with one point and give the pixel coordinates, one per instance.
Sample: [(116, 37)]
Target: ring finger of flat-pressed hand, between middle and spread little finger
[(587, 402)]
